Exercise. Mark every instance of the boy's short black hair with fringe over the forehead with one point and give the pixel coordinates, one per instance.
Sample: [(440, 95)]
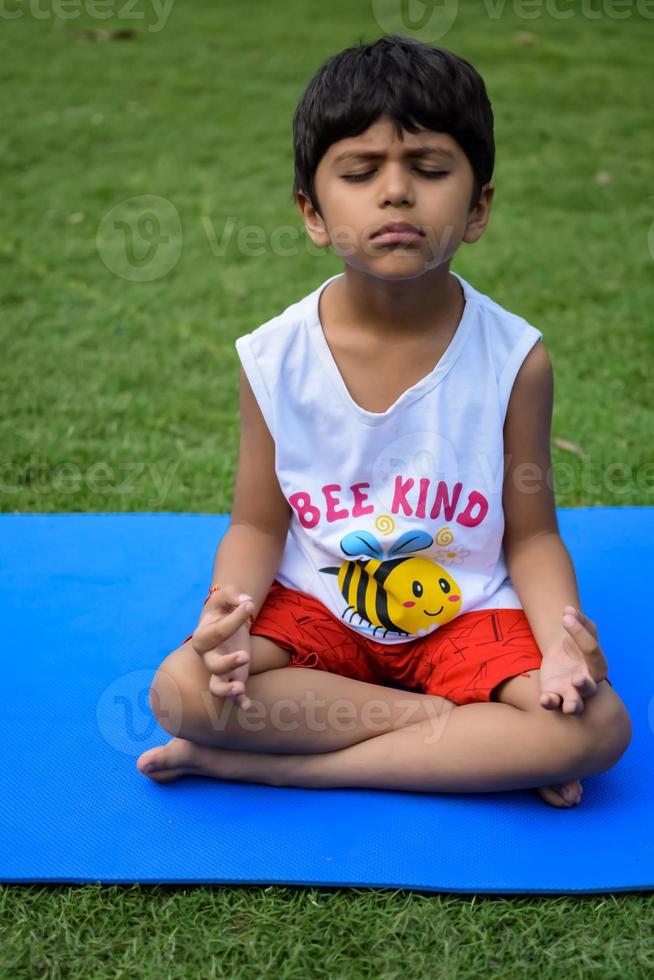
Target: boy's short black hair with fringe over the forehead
[(415, 84)]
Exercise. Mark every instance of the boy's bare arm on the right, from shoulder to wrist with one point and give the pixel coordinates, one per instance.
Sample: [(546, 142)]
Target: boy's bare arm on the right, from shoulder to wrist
[(538, 561)]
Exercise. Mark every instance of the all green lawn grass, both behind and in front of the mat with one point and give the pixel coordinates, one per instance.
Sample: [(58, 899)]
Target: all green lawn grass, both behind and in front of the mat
[(121, 396)]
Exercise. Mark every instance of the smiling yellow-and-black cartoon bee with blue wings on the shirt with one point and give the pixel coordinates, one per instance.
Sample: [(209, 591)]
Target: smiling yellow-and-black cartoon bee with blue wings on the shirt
[(397, 595)]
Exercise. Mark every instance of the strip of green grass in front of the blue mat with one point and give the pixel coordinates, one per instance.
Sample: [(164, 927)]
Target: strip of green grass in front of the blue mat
[(295, 933)]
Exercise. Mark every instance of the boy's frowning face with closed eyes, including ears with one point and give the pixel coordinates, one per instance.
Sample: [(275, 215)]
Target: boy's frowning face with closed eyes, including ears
[(396, 187)]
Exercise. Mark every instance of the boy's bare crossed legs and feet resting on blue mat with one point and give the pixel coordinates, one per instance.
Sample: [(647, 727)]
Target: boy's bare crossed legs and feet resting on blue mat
[(413, 742)]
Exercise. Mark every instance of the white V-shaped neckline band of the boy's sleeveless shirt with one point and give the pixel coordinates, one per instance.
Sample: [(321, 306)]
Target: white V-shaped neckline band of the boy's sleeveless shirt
[(422, 386)]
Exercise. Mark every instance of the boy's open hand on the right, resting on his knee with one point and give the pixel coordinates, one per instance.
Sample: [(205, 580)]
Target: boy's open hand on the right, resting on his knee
[(573, 666)]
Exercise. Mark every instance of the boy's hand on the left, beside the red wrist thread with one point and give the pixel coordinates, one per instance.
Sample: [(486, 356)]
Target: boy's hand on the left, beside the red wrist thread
[(222, 638)]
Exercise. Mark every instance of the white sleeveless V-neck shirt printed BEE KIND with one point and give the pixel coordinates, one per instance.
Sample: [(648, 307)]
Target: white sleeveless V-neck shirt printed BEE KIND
[(397, 519)]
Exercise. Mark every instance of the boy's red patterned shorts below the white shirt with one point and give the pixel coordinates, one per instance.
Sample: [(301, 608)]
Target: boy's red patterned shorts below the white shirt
[(463, 660)]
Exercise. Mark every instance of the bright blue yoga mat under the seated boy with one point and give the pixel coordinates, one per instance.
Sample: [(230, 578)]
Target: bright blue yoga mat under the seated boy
[(91, 604)]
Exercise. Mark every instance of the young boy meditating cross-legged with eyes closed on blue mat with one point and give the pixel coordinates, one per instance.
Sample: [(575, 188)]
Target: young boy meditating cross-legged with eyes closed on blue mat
[(393, 533)]
